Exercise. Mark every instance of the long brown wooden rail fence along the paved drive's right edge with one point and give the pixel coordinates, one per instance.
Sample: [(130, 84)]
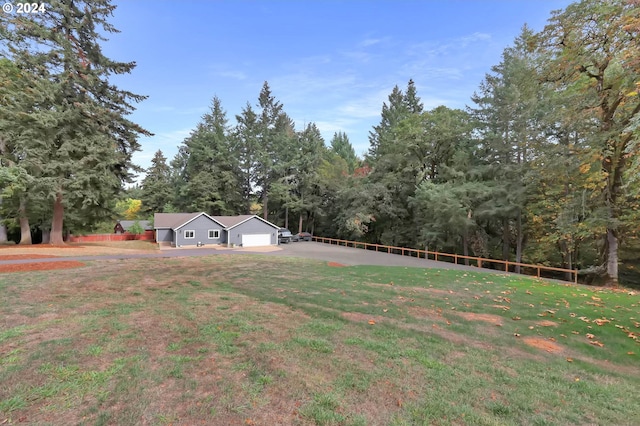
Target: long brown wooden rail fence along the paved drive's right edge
[(438, 256)]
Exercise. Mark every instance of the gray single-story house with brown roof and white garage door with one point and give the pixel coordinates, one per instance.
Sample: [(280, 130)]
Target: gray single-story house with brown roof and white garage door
[(198, 229)]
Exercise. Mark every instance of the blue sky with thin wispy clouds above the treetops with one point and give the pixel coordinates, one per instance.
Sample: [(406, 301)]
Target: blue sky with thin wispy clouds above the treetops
[(330, 62)]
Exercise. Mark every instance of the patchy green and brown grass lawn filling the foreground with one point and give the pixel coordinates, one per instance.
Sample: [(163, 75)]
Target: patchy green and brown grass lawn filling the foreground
[(257, 340)]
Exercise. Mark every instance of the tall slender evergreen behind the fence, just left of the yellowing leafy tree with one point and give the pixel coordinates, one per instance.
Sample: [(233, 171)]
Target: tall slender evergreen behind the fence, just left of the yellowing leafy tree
[(507, 114)]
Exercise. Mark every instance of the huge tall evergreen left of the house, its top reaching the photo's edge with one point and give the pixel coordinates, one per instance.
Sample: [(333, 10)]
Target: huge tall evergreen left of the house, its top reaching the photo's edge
[(82, 140)]
